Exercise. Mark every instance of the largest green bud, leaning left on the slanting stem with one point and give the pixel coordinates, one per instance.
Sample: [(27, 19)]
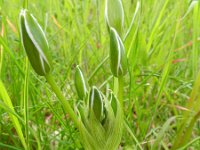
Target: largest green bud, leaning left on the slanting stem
[(34, 42)]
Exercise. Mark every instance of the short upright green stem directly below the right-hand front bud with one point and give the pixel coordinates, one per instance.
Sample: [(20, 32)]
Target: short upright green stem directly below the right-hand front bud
[(120, 89)]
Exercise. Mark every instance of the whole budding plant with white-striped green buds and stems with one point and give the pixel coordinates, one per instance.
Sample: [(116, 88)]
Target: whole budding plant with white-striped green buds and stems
[(99, 119)]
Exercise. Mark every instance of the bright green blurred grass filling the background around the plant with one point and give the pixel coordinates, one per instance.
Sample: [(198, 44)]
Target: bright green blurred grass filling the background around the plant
[(162, 49)]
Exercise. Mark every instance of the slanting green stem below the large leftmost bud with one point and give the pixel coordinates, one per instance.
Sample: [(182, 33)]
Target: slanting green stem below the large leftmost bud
[(65, 103)]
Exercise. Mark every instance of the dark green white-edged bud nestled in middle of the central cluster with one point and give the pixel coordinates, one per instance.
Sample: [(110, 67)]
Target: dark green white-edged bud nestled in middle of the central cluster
[(96, 103)]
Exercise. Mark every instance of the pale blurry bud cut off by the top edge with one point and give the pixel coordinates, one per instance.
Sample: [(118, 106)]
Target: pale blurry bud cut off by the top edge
[(114, 15)]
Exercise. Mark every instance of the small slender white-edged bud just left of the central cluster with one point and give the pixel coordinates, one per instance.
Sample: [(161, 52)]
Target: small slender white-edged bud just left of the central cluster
[(80, 83)]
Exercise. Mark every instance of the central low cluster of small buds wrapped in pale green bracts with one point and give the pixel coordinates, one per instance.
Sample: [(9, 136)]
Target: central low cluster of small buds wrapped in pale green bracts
[(101, 117)]
